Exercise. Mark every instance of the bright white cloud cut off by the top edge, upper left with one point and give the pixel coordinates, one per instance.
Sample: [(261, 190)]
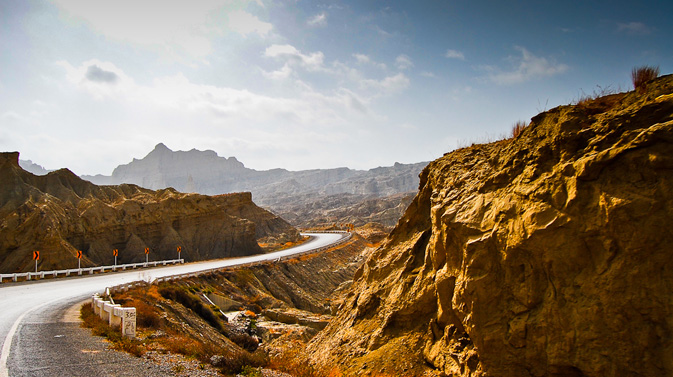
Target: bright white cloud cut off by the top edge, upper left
[(173, 27)]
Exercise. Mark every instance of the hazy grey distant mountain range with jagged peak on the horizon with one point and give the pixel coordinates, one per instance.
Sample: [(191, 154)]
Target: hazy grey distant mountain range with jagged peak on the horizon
[(285, 192)]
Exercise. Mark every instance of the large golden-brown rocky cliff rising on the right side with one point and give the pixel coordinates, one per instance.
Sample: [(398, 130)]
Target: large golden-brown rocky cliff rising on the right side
[(547, 254)]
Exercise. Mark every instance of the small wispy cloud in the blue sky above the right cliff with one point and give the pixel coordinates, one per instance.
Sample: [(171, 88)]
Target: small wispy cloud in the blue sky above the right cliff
[(525, 68)]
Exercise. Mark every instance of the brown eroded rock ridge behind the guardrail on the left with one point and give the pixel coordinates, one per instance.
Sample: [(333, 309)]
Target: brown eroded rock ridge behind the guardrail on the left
[(59, 213)]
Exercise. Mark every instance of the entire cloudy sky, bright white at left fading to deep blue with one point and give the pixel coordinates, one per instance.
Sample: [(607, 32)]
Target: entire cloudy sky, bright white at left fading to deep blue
[(90, 85)]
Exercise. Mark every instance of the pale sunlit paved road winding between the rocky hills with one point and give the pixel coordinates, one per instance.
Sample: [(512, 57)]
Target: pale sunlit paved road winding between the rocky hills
[(20, 302)]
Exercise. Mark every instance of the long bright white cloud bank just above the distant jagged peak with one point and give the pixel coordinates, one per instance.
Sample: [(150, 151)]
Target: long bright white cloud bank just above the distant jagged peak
[(176, 94)]
